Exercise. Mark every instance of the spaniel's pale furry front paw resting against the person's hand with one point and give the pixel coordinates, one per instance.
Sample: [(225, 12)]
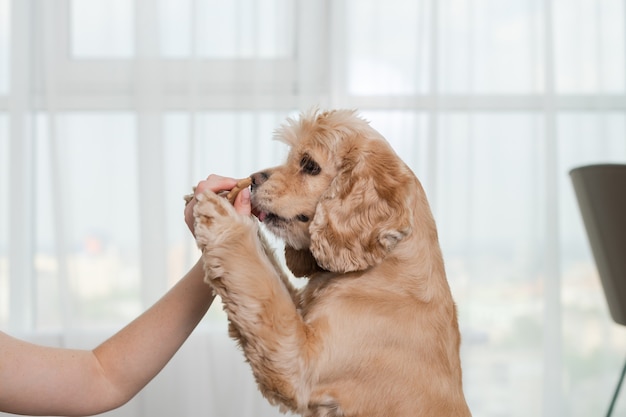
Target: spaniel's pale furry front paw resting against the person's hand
[(218, 227)]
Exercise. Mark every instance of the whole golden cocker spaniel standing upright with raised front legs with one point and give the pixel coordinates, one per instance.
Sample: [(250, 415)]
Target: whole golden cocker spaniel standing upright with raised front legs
[(374, 332)]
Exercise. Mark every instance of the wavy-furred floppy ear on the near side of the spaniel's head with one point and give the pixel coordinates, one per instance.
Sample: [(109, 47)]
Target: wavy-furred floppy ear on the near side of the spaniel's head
[(365, 212)]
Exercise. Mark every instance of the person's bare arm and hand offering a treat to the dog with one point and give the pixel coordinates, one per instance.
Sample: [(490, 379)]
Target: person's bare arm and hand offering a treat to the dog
[(40, 380)]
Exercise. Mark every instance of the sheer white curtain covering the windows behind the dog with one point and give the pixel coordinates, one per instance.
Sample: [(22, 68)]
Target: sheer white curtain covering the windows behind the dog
[(110, 110)]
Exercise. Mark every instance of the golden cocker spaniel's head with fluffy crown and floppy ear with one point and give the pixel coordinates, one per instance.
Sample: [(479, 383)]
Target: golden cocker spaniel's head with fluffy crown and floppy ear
[(343, 199)]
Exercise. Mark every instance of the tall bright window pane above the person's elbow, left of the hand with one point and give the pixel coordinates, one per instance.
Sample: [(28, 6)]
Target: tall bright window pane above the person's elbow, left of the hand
[(98, 225)]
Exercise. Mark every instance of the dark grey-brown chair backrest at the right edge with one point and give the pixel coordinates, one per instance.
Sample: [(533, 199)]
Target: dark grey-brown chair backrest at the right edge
[(601, 194)]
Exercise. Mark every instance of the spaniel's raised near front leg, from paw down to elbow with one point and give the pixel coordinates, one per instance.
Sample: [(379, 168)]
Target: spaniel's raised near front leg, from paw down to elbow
[(260, 308)]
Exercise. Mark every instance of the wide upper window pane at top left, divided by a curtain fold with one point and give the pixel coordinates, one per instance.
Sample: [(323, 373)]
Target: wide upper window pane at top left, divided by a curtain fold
[(224, 30)]
